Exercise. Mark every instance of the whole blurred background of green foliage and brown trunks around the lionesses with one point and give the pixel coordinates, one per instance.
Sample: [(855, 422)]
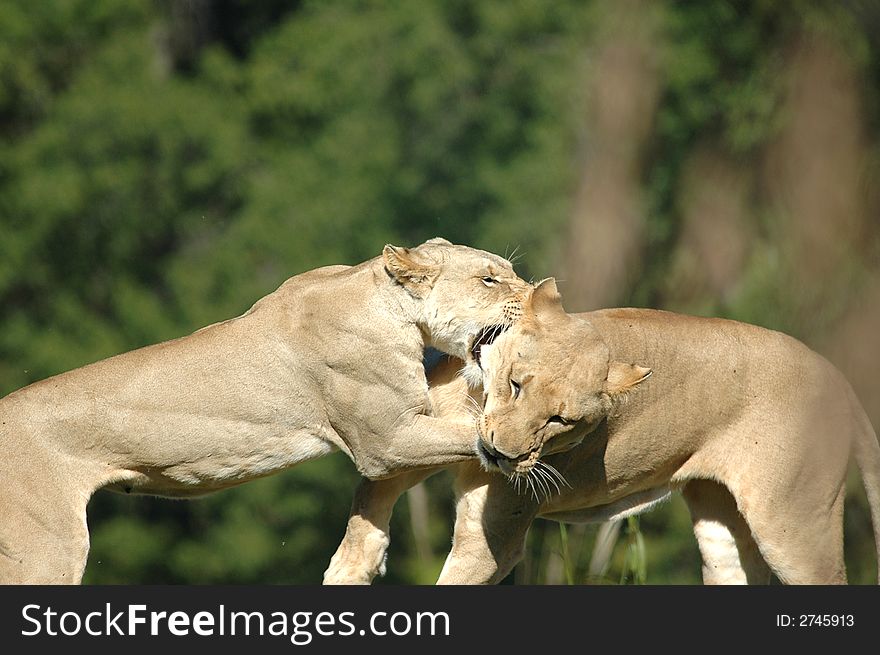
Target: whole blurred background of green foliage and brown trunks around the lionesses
[(165, 163)]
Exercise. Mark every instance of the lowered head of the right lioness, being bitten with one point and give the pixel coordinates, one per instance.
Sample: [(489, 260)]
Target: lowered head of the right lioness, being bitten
[(549, 381)]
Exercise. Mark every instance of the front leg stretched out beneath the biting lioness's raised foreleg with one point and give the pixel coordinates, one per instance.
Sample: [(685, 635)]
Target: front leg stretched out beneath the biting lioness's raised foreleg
[(361, 555)]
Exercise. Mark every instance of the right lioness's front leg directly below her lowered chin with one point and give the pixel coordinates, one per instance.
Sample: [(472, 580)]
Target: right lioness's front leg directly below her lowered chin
[(491, 523)]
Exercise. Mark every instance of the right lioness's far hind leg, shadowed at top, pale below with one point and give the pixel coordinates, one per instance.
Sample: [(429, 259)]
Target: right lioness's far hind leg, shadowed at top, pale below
[(728, 550)]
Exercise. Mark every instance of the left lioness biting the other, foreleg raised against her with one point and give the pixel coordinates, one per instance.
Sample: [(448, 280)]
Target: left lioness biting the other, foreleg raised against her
[(331, 360)]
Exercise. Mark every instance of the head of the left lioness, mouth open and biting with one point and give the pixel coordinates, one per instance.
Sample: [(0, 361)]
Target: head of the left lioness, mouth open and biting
[(467, 297)]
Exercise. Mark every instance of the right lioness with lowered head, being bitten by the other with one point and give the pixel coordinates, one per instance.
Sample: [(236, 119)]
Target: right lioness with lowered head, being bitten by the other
[(598, 416)]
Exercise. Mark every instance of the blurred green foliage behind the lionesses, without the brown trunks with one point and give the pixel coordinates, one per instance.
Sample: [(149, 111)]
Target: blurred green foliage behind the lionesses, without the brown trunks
[(161, 170)]
